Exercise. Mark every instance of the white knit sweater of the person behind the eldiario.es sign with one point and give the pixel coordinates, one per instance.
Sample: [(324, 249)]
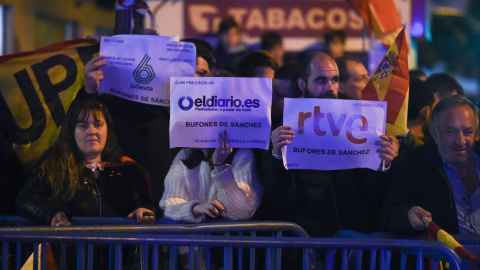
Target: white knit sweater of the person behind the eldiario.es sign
[(237, 187)]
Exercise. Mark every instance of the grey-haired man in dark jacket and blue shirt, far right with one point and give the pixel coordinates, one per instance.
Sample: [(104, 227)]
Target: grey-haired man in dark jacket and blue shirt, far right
[(438, 180)]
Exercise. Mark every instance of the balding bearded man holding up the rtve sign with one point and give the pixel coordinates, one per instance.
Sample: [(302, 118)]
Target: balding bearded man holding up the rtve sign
[(324, 201)]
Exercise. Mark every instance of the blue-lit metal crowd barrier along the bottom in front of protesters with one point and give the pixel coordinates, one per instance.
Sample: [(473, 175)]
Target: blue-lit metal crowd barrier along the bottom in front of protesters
[(262, 240)]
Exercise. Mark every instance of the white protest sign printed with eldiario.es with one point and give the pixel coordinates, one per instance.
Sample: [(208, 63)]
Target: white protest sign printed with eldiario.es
[(201, 108)]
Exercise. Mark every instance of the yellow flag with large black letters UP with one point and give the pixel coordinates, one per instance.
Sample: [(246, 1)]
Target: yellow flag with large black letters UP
[(37, 90)]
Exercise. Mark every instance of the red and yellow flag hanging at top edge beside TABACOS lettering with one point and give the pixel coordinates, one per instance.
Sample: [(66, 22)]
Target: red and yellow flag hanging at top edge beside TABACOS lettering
[(381, 16)]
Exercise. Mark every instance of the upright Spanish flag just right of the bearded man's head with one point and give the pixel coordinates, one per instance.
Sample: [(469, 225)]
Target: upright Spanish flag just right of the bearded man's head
[(390, 83)]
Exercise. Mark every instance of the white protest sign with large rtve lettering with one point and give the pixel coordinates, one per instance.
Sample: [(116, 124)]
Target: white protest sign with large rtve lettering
[(333, 134)]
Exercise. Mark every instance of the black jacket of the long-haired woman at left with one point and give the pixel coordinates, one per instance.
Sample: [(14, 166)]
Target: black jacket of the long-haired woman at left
[(119, 190)]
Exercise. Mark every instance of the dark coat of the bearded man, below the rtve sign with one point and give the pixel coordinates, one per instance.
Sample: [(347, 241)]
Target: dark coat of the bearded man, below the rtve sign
[(323, 202)]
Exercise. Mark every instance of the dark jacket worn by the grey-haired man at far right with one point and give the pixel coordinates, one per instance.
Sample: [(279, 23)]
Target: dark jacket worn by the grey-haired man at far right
[(418, 178)]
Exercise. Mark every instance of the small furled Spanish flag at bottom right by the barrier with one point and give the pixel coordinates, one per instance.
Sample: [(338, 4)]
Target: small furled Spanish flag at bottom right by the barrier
[(435, 233)]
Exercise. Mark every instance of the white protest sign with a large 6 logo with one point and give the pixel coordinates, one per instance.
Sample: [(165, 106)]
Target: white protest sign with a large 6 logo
[(139, 67)]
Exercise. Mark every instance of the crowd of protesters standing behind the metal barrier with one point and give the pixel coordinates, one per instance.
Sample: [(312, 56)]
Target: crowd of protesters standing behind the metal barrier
[(431, 171)]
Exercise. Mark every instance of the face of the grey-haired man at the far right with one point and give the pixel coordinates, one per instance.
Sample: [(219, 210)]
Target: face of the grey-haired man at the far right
[(454, 133)]
